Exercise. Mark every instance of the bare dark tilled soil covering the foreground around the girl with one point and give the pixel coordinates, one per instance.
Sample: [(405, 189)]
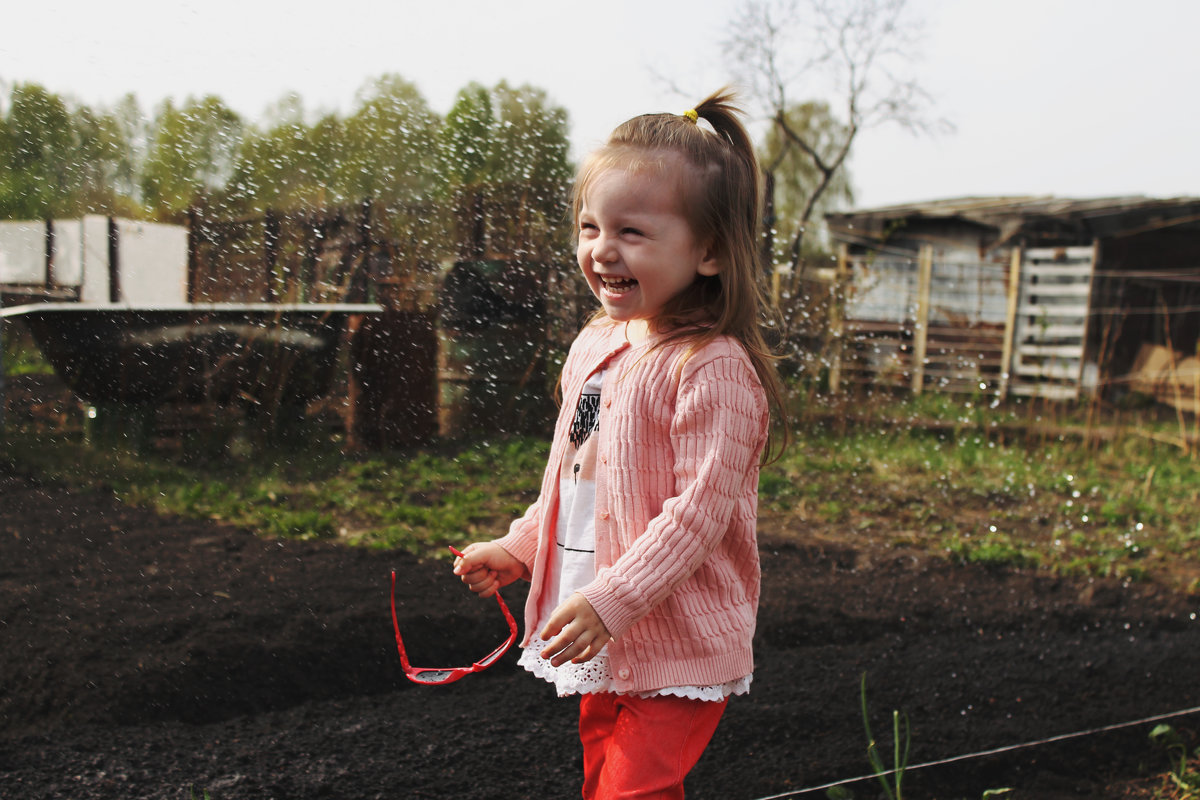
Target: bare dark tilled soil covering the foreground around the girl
[(145, 657)]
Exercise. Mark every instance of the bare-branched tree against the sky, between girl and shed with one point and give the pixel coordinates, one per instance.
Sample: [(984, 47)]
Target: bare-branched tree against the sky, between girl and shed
[(856, 52)]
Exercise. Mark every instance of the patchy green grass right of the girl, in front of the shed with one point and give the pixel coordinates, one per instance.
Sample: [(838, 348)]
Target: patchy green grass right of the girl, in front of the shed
[(964, 484)]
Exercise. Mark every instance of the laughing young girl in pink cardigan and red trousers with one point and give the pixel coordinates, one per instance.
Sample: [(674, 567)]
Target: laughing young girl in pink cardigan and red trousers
[(641, 548)]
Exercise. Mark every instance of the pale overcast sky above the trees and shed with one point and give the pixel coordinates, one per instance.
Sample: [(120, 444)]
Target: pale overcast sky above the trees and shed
[(1069, 98)]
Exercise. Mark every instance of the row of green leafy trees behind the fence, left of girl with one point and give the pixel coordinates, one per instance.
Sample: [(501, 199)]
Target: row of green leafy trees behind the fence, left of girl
[(497, 164)]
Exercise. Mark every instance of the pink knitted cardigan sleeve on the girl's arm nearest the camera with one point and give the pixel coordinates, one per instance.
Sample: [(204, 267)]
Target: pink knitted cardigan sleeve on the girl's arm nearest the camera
[(717, 436)]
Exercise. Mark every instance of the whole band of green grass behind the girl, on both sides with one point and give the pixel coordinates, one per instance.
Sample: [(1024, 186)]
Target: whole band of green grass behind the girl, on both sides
[(943, 476)]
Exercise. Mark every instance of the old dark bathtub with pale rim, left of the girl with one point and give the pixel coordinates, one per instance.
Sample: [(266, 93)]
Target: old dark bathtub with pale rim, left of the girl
[(191, 353)]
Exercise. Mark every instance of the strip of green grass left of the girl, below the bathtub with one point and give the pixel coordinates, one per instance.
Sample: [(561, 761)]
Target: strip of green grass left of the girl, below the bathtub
[(417, 501)]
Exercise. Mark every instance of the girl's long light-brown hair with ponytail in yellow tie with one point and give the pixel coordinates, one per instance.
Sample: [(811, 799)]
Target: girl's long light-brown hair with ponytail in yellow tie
[(722, 196)]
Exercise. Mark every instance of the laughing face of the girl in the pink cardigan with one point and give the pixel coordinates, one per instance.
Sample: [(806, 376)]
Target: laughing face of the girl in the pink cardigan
[(637, 249)]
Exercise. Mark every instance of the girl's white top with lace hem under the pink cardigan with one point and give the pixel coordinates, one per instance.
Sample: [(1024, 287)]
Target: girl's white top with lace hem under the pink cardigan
[(573, 566)]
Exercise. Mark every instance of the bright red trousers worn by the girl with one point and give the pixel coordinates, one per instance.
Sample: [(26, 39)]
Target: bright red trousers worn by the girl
[(643, 748)]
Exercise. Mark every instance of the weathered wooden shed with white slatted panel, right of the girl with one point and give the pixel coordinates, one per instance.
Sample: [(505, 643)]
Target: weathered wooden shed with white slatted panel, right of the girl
[(1029, 296)]
